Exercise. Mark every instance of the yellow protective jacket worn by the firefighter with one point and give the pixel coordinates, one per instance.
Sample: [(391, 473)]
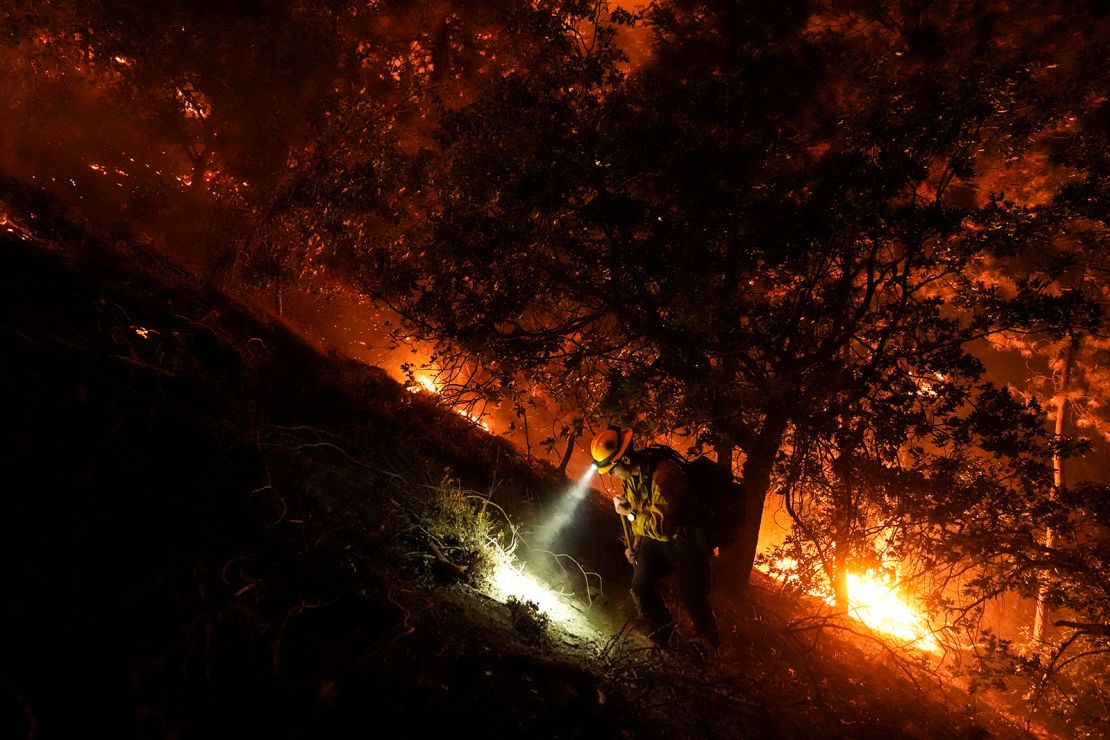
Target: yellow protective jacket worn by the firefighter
[(661, 499)]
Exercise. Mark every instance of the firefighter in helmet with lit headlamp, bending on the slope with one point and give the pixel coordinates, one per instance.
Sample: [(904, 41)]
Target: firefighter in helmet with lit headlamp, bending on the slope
[(658, 506)]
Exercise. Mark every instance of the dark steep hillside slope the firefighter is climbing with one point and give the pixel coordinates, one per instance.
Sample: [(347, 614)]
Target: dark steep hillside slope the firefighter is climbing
[(210, 531)]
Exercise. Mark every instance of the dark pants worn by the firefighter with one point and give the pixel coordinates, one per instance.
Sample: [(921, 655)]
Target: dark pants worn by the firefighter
[(691, 565)]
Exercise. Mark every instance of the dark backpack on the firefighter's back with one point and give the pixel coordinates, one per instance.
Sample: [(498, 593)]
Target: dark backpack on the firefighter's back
[(722, 511)]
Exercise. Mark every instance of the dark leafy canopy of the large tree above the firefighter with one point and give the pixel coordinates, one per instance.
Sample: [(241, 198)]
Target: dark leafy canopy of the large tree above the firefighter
[(772, 231)]
